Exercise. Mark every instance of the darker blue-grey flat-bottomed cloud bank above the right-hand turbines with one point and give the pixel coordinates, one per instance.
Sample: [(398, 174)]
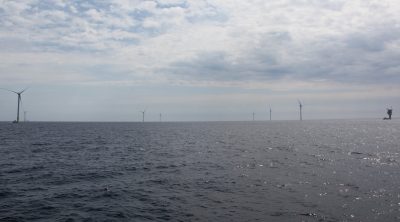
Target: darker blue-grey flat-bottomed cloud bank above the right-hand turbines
[(351, 58)]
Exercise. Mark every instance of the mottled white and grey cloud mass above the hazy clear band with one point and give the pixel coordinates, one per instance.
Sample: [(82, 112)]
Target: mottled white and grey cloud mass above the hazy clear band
[(338, 41)]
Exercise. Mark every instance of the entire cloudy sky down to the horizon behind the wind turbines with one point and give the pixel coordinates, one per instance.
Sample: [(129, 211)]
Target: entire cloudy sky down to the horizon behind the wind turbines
[(199, 60)]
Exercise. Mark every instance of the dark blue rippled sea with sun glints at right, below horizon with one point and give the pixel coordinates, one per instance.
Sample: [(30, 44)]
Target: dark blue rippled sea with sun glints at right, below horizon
[(216, 171)]
